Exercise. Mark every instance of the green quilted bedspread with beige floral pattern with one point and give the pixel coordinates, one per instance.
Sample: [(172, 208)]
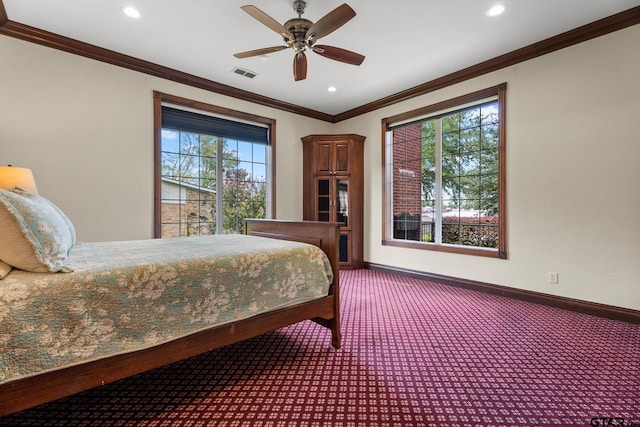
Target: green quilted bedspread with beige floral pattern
[(125, 296)]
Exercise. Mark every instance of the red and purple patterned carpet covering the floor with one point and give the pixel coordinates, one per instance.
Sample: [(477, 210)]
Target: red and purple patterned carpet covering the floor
[(414, 354)]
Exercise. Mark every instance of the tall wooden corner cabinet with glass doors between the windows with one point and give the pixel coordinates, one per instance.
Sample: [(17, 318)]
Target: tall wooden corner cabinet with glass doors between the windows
[(333, 189)]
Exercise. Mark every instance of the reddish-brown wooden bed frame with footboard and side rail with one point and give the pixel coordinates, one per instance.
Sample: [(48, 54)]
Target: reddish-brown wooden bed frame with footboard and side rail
[(24, 393)]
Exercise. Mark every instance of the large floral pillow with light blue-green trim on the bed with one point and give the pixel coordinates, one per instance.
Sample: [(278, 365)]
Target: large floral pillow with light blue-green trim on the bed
[(34, 234)]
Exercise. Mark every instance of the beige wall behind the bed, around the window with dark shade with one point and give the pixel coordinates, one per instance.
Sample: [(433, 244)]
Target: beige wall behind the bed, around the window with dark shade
[(85, 128)]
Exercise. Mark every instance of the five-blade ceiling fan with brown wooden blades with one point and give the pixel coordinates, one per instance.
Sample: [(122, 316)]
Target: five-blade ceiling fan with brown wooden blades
[(300, 33)]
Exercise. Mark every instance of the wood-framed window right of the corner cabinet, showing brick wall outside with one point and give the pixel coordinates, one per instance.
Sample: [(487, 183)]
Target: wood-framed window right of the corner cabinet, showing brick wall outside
[(445, 176)]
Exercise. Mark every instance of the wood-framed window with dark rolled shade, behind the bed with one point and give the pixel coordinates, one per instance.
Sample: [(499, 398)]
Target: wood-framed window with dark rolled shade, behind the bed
[(213, 168)]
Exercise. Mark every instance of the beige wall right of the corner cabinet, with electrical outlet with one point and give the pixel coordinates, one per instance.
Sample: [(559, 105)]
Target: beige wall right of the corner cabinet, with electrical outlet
[(573, 175)]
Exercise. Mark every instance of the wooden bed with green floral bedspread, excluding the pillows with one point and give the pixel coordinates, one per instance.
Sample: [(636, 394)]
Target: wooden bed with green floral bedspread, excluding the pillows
[(139, 305)]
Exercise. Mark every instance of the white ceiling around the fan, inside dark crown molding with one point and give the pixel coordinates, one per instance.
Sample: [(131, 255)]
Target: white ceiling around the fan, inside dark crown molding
[(406, 42)]
